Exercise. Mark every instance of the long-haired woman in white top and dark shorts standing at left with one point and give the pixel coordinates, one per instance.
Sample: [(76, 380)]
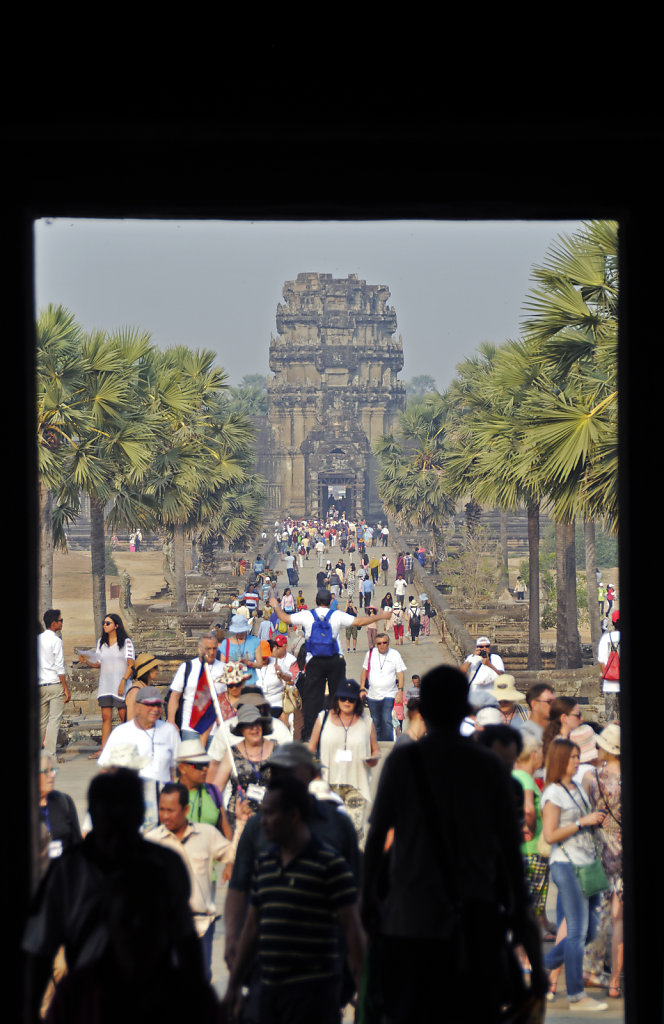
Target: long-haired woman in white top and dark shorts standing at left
[(115, 659)]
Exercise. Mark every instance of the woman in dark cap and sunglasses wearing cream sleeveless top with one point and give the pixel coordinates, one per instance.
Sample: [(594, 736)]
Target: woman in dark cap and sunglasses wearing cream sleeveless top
[(345, 739)]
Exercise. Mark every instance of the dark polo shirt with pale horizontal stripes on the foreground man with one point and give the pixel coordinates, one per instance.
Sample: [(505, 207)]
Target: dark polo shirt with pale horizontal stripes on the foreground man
[(297, 905)]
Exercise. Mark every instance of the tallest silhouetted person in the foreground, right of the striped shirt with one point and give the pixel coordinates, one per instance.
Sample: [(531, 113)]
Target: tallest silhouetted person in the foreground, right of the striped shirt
[(440, 905)]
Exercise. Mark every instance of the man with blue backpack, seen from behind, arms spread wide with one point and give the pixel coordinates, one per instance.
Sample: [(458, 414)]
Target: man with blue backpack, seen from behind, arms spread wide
[(325, 663)]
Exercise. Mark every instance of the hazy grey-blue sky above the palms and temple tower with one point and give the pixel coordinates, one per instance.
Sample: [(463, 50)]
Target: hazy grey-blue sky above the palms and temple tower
[(217, 284)]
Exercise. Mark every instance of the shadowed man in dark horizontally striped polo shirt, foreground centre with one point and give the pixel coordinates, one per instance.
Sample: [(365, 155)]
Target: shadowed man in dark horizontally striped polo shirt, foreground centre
[(303, 891)]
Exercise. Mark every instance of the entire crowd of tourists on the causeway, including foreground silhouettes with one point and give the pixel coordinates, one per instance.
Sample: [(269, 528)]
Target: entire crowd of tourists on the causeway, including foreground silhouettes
[(257, 773)]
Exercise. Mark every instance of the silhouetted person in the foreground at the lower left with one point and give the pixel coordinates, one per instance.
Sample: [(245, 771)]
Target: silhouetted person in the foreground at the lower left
[(119, 906)]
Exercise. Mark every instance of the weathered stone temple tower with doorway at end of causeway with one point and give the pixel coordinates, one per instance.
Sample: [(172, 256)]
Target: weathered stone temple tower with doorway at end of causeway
[(335, 392)]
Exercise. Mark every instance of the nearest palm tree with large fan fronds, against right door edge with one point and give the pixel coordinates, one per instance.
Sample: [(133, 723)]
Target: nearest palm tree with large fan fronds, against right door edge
[(572, 320)]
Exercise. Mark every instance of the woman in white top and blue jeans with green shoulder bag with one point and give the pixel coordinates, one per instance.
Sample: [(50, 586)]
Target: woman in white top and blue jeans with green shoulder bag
[(568, 822)]
